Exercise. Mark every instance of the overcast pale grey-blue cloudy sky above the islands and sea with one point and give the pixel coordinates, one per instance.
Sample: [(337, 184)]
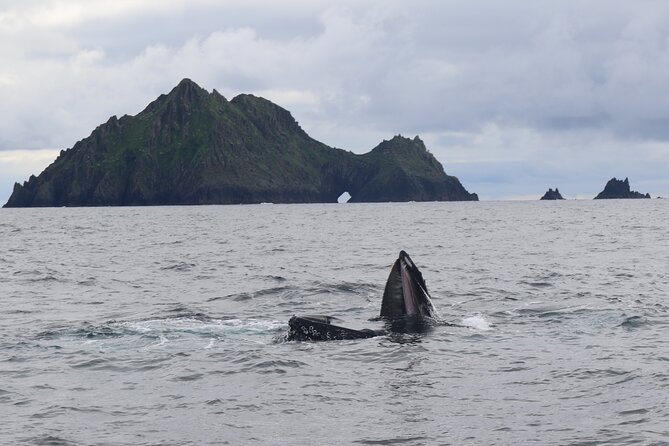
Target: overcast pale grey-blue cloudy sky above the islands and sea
[(512, 97)]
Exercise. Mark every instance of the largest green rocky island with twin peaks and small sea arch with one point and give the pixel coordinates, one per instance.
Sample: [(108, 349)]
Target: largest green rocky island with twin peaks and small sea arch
[(195, 147)]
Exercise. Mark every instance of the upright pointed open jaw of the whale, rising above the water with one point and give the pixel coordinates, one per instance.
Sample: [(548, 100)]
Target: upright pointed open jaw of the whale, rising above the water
[(405, 295)]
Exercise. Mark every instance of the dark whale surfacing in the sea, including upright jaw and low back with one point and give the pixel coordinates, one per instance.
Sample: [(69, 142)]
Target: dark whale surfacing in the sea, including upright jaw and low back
[(406, 307)]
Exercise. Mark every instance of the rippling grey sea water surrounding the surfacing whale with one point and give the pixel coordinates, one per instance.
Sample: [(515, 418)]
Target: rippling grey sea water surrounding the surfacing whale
[(163, 325)]
